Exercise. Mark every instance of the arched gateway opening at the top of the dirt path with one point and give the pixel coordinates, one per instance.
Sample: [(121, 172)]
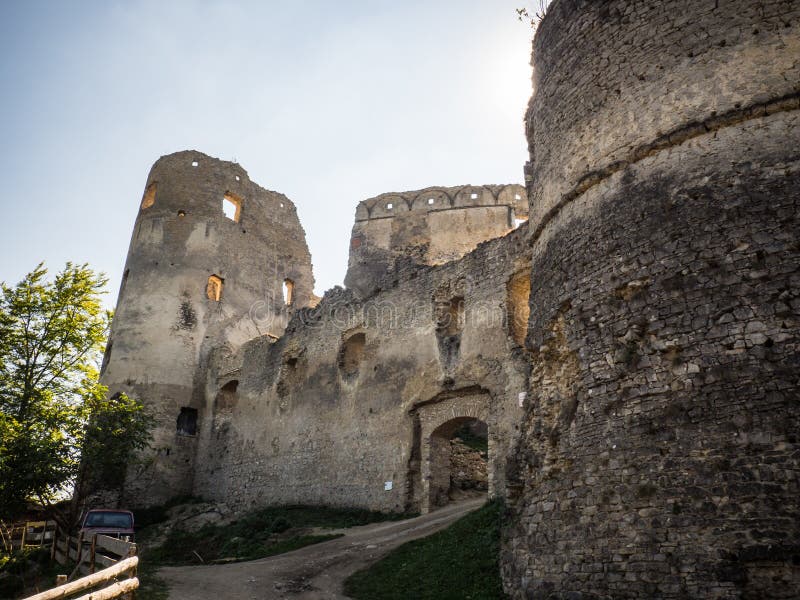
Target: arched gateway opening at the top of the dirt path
[(459, 461)]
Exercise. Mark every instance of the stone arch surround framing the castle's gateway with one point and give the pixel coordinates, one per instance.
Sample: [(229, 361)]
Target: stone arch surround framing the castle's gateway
[(437, 421)]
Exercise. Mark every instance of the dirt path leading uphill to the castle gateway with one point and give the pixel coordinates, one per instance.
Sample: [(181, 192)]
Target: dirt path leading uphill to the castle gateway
[(314, 572)]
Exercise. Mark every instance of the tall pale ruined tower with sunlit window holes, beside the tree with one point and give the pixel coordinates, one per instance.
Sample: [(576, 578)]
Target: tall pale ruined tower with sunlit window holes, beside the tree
[(214, 260)]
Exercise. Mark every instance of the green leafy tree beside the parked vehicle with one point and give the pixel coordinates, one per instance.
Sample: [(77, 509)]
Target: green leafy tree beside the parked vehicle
[(51, 337)]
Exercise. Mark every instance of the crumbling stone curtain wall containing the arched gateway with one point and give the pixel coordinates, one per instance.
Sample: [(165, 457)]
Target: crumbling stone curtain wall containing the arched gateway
[(308, 426)]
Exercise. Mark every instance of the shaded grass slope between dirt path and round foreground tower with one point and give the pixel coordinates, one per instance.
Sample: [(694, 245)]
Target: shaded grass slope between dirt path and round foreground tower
[(458, 563)]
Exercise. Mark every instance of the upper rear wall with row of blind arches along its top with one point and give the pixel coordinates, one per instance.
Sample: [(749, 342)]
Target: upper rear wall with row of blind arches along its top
[(429, 227)]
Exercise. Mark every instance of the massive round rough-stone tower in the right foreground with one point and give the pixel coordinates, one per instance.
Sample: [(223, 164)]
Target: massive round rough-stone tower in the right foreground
[(659, 456)]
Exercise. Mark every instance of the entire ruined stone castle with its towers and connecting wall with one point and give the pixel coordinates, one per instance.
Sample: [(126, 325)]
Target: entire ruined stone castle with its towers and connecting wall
[(626, 324)]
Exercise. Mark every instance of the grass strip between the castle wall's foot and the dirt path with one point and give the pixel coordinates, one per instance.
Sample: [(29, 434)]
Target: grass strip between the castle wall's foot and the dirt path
[(262, 533)]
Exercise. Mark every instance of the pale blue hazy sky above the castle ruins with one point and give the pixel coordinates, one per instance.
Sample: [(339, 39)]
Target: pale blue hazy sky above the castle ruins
[(329, 103)]
